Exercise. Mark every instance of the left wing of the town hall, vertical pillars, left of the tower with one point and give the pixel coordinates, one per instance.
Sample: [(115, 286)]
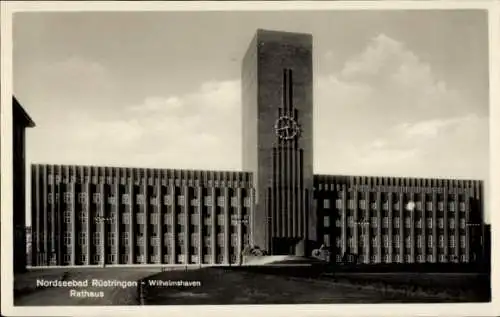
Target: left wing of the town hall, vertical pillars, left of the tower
[(85, 215)]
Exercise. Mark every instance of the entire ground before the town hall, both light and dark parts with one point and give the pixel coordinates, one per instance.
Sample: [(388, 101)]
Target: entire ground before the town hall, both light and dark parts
[(224, 286)]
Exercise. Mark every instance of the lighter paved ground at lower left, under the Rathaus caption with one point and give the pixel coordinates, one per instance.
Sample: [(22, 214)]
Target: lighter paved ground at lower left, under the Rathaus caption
[(29, 295)]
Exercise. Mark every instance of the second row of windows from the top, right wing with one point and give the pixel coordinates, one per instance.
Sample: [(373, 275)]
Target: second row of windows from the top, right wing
[(396, 222)]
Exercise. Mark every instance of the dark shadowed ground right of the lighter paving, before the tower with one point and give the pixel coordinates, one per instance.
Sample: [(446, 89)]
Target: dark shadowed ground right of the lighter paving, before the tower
[(282, 285)]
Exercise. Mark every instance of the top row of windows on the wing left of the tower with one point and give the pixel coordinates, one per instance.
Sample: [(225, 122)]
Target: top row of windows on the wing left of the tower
[(140, 199)]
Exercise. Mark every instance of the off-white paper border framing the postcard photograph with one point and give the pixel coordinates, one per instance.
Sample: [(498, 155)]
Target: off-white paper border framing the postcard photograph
[(9, 7)]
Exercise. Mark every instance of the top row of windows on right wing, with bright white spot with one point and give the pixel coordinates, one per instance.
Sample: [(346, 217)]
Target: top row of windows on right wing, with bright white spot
[(362, 204)]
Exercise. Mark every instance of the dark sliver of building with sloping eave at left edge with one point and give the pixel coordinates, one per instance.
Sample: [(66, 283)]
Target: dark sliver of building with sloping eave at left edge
[(21, 121)]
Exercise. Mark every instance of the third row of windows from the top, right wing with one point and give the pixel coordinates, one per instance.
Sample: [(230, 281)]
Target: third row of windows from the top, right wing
[(396, 241)]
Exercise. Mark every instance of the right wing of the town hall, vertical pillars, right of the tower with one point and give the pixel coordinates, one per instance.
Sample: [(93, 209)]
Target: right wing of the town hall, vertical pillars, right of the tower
[(401, 220)]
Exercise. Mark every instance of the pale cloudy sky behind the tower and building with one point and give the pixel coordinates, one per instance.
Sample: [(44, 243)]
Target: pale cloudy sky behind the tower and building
[(396, 93)]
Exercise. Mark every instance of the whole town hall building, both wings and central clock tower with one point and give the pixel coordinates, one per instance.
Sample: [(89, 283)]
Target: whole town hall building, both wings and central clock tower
[(85, 215)]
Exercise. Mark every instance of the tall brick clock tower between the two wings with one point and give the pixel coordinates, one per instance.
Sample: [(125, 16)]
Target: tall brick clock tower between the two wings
[(277, 102)]
